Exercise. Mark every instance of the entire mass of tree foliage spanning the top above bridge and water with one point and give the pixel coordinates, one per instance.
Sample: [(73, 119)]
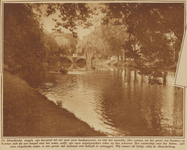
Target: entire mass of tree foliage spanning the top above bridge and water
[(150, 33)]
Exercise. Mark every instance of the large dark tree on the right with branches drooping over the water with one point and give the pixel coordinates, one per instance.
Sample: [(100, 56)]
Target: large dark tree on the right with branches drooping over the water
[(148, 27)]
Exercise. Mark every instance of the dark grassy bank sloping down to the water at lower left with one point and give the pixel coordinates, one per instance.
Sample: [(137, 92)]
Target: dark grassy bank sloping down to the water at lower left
[(28, 113)]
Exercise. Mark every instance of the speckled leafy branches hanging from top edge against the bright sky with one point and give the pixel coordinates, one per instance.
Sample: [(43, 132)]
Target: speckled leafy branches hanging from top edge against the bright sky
[(70, 15)]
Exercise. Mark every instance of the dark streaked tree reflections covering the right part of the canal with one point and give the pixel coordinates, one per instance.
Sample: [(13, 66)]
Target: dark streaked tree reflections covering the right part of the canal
[(135, 107)]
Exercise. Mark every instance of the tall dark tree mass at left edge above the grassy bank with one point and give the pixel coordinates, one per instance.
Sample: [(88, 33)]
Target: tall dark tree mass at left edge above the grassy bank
[(23, 46)]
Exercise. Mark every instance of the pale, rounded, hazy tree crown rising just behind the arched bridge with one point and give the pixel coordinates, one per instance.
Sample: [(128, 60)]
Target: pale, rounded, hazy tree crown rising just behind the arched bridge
[(105, 40)]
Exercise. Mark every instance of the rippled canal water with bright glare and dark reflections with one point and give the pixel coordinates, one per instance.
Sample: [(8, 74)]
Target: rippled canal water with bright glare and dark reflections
[(117, 102)]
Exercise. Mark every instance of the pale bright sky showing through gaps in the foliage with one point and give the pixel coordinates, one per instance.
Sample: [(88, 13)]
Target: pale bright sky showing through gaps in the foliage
[(49, 24)]
